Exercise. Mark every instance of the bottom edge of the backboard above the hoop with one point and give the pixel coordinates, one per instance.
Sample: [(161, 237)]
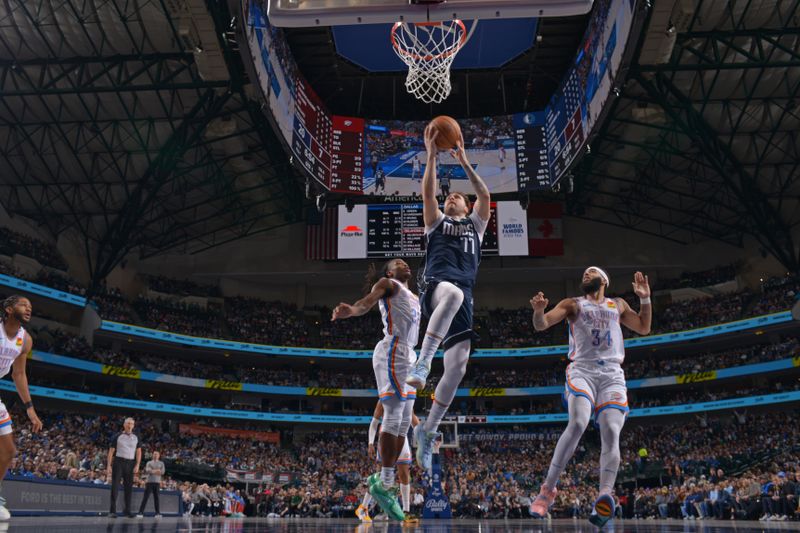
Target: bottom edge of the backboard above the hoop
[(306, 13)]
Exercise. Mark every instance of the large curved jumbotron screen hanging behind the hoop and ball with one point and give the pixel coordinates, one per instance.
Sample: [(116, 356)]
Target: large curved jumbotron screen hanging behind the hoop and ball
[(522, 152)]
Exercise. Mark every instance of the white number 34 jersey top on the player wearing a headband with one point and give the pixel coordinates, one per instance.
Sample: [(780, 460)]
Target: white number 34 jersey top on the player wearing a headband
[(595, 333)]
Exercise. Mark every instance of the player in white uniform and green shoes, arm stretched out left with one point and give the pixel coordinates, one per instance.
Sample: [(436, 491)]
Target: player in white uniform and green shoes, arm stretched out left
[(391, 361)]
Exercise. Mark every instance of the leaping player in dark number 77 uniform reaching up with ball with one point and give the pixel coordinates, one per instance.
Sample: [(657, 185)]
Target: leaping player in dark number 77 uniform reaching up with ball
[(451, 266)]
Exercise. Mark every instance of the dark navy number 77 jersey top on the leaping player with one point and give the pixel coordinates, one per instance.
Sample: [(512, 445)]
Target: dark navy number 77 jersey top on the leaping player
[(453, 250)]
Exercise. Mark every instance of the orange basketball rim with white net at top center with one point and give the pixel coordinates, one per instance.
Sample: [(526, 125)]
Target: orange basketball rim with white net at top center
[(429, 48)]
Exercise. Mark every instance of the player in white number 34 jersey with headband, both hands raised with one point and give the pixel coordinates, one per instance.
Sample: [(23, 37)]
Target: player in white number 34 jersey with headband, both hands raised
[(595, 380)]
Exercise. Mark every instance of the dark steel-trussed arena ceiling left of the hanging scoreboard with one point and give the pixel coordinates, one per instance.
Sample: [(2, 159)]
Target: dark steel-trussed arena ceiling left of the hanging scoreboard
[(131, 122)]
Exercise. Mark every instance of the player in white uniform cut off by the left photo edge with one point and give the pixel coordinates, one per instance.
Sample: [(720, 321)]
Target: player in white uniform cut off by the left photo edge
[(14, 342)]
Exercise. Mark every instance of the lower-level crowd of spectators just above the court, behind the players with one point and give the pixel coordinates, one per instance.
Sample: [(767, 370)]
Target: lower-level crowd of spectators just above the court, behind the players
[(736, 465)]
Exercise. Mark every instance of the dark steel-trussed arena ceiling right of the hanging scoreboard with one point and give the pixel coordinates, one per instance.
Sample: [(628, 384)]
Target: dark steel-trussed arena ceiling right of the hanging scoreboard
[(702, 142)]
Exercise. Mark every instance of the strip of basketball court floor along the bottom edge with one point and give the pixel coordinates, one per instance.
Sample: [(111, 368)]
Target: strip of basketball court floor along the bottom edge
[(253, 525)]
